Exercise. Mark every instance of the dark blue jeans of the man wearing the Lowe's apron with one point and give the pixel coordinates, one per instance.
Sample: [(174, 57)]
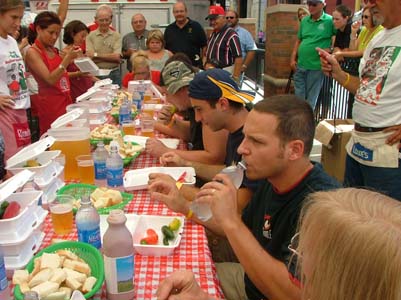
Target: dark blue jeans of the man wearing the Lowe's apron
[(384, 180)]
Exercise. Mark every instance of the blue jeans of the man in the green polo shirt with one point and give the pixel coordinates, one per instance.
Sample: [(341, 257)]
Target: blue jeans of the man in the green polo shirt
[(307, 84)]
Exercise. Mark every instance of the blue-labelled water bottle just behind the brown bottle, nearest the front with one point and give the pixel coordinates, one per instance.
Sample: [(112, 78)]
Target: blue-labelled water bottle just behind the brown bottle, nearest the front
[(87, 220)]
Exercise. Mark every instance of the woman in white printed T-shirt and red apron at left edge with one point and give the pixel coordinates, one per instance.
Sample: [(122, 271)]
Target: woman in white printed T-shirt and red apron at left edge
[(14, 96)]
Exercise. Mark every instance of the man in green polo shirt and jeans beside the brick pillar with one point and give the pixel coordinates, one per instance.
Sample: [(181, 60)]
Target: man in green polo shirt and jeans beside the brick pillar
[(316, 30)]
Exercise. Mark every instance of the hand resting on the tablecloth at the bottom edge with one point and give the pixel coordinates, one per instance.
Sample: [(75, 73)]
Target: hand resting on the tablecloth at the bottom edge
[(180, 285)]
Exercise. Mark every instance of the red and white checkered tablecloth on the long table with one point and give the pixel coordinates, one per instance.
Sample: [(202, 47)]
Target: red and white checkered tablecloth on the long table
[(193, 252)]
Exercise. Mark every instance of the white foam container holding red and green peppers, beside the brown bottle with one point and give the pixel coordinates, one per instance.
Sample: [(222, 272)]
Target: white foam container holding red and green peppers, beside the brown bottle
[(156, 222)]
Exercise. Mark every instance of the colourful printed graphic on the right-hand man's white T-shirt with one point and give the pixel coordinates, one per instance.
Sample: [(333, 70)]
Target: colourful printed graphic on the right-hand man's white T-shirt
[(374, 74)]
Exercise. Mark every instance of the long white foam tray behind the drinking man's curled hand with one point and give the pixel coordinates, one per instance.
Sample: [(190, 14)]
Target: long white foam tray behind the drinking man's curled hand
[(138, 179)]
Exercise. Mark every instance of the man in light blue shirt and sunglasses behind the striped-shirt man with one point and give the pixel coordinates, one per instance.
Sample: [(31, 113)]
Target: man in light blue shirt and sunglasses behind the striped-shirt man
[(248, 45)]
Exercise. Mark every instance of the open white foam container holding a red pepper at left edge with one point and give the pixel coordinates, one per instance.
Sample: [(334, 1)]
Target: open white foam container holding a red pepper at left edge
[(17, 229)]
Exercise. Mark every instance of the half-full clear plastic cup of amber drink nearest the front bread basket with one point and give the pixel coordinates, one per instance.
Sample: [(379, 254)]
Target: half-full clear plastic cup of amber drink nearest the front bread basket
[(61, 214)]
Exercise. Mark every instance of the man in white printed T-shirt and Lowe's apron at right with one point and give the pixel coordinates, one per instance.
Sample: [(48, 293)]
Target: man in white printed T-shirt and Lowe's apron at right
[(373, 158)]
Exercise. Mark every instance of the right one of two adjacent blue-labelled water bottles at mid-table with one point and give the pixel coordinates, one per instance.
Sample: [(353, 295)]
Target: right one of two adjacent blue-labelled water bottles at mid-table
[(114, 168)]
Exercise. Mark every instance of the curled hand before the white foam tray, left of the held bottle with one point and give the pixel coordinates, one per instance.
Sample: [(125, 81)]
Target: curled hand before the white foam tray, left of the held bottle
[(162, 188)]
